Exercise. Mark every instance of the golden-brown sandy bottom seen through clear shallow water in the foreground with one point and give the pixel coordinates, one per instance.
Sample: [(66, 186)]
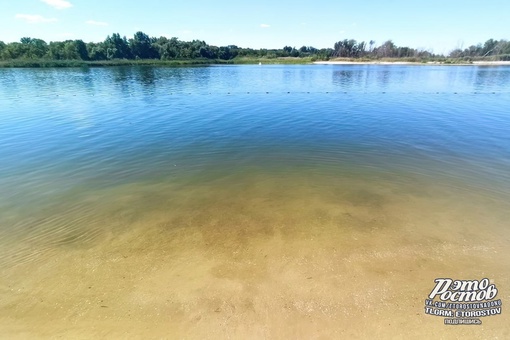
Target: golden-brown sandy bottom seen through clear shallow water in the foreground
[(258, 257)]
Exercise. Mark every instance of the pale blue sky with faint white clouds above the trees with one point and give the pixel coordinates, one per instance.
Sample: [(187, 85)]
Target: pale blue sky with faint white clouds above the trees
[(434, 25)]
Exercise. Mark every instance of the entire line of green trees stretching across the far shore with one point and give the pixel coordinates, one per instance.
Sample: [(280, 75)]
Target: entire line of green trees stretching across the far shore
[(141, 46)]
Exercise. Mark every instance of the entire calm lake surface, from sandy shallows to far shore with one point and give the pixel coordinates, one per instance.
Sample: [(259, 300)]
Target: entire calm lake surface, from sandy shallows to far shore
[(310, 201)]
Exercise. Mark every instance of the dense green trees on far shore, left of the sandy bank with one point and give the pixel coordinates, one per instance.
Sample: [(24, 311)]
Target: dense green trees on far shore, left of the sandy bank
[(141, 46)]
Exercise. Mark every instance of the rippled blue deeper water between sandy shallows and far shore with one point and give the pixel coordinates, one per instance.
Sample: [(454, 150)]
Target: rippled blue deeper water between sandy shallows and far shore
[(69, 133)]
